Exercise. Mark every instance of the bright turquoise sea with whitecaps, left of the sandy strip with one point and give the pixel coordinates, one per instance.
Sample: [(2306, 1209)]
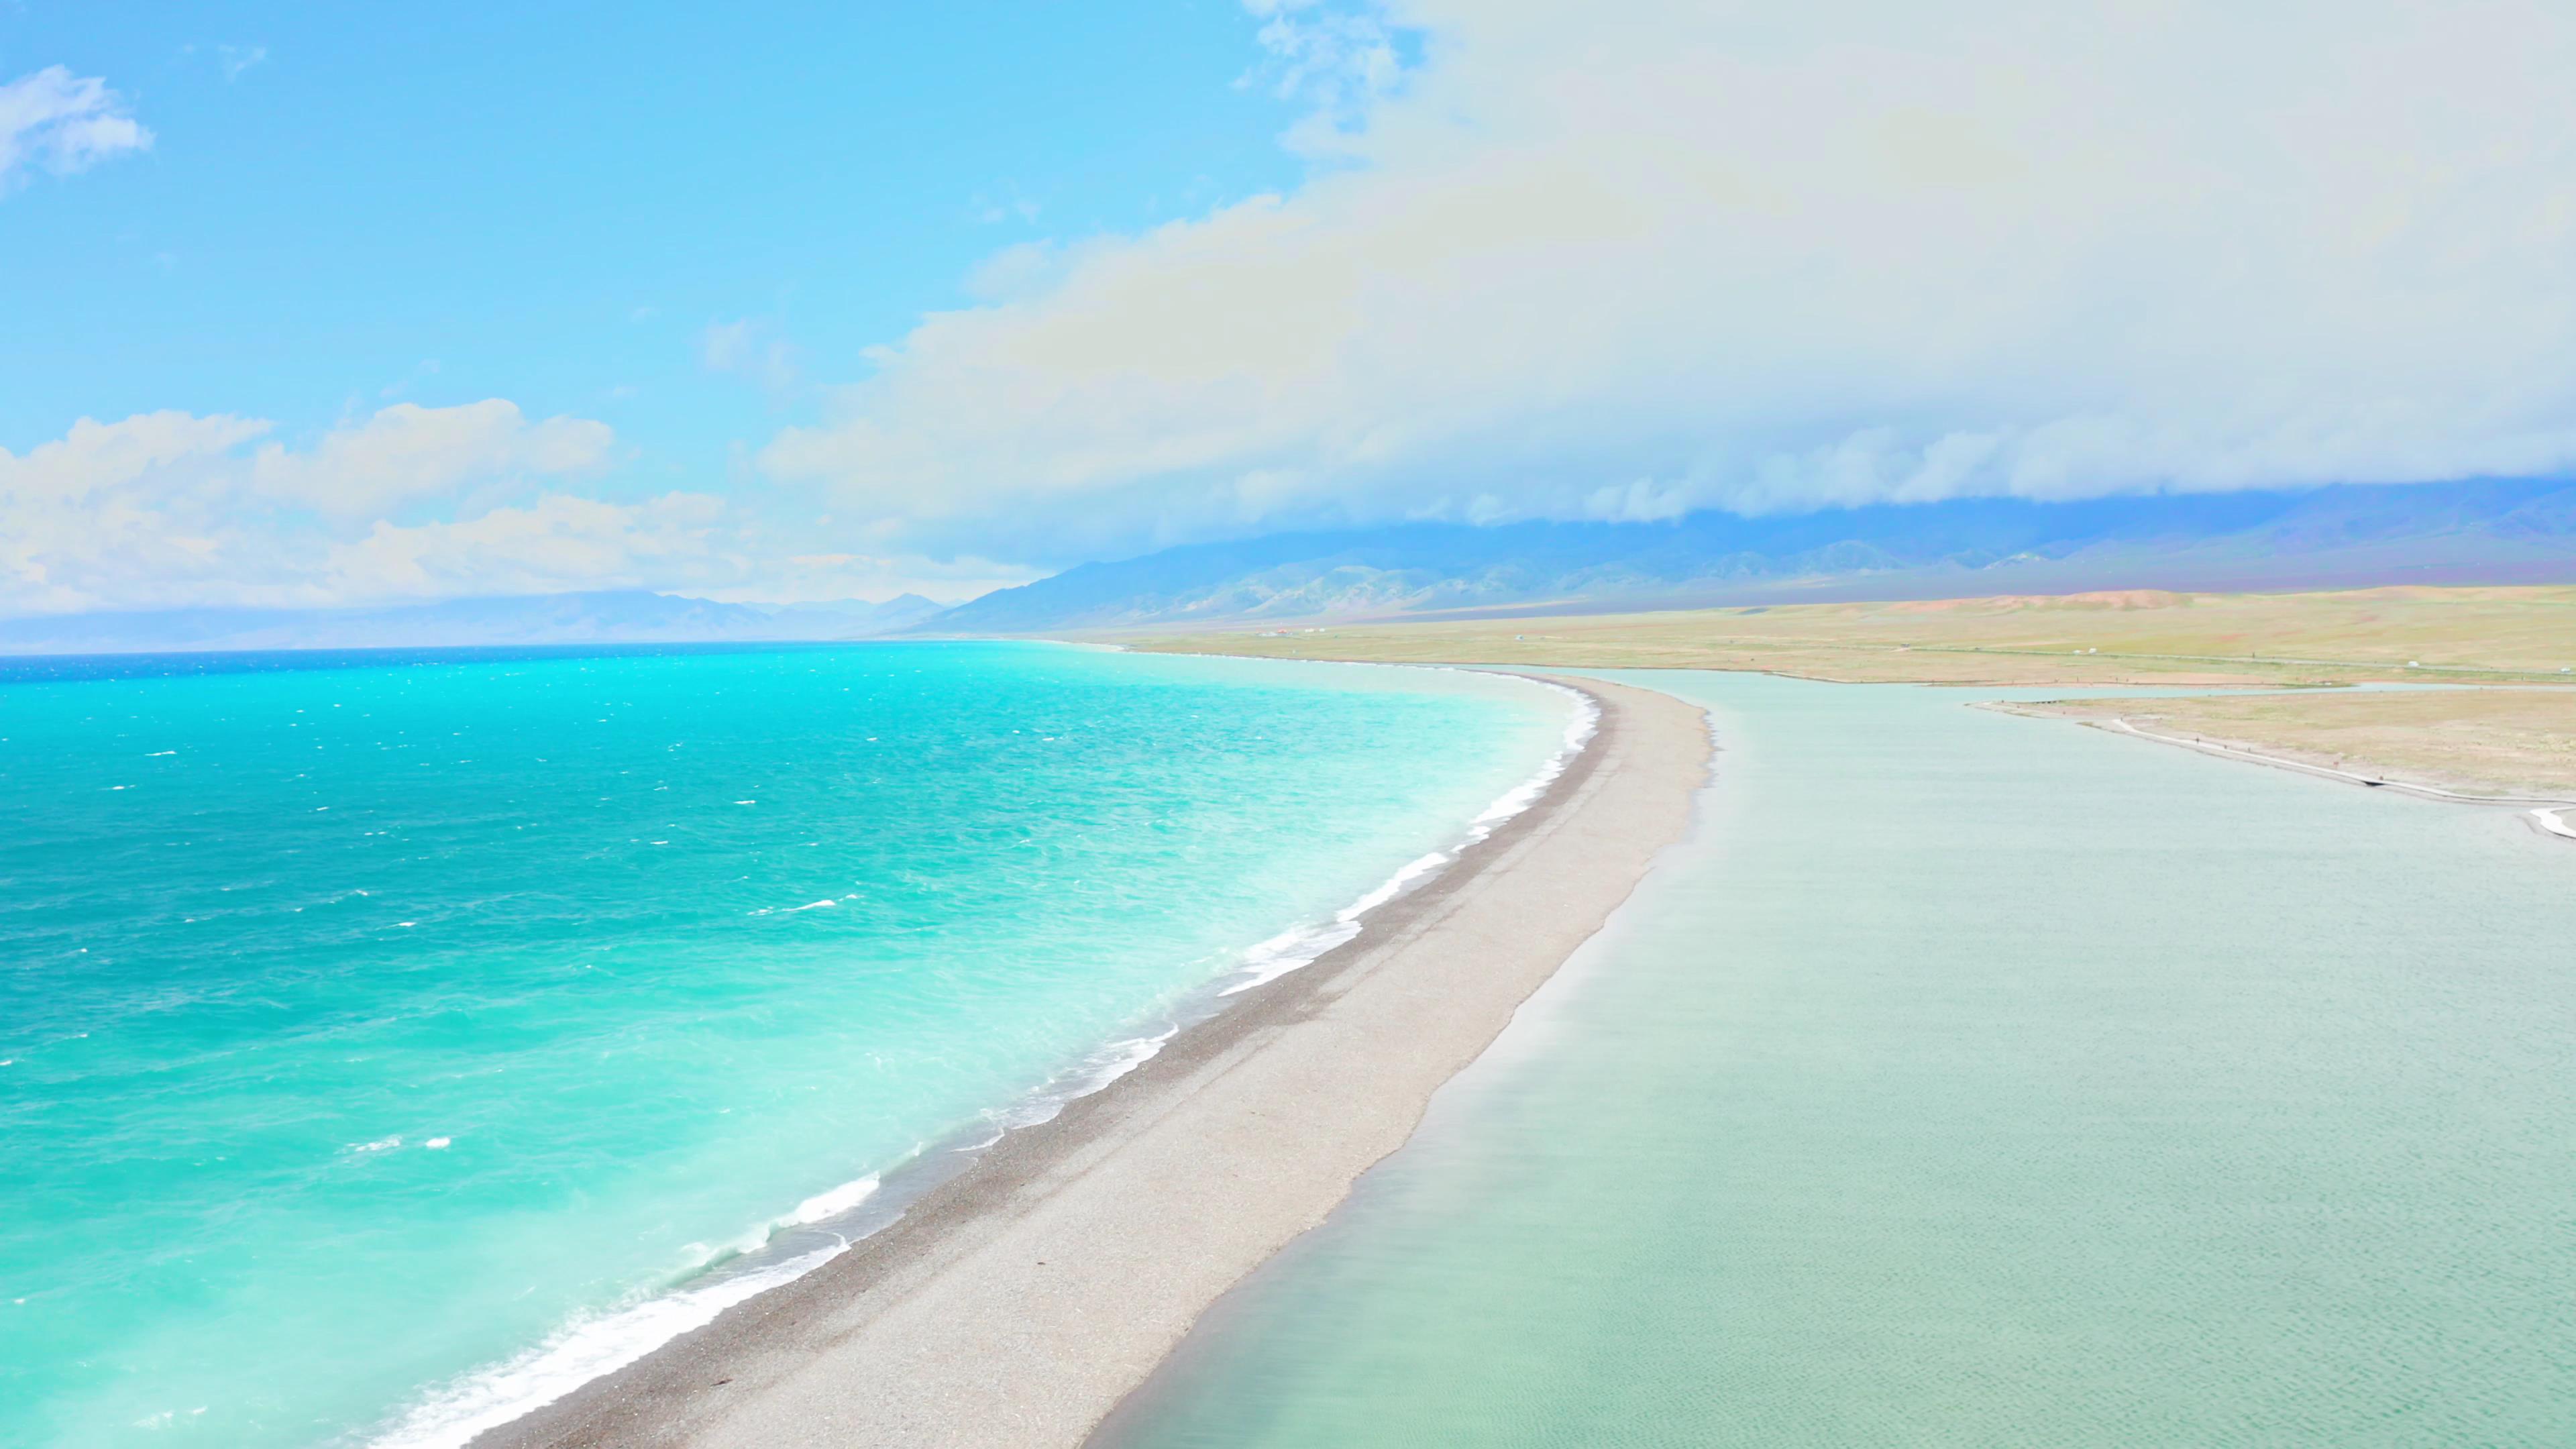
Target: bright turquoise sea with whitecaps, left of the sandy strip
[(370, 1030)]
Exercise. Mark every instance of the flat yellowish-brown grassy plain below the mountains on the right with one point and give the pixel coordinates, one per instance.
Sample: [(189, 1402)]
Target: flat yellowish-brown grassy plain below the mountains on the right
[(2474, 739)]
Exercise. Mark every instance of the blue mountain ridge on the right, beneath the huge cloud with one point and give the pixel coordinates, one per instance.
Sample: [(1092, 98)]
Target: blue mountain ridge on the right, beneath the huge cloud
[(2330, 538)]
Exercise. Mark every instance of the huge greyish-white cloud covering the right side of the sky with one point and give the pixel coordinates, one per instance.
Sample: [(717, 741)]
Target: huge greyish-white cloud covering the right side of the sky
[(1655, 257)]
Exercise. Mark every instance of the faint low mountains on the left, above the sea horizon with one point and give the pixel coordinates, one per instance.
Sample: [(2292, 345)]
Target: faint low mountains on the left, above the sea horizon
[(625, 618)]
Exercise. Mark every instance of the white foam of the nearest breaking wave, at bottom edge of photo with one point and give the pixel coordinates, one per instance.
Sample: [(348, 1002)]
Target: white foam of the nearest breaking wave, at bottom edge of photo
[(581, 1352)]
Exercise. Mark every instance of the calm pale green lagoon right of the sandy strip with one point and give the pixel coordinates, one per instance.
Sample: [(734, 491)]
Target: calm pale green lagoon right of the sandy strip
[(1977, 1082)]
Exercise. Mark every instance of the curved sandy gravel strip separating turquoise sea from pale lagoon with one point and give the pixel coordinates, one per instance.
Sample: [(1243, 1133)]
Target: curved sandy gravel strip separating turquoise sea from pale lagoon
[(1021, 1298)]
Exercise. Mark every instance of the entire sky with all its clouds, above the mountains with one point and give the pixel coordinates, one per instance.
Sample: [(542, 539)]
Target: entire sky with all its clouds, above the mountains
[(359, 303)]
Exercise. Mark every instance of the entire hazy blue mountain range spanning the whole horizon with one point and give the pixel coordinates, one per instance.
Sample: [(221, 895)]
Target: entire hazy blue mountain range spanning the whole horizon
[(2327, 538)]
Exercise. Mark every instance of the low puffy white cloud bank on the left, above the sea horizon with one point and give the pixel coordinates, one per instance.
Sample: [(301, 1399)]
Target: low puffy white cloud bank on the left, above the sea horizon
[(171, 509)]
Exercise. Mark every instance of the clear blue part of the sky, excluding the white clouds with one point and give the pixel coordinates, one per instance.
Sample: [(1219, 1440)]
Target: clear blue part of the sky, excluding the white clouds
[(553, 202)]
